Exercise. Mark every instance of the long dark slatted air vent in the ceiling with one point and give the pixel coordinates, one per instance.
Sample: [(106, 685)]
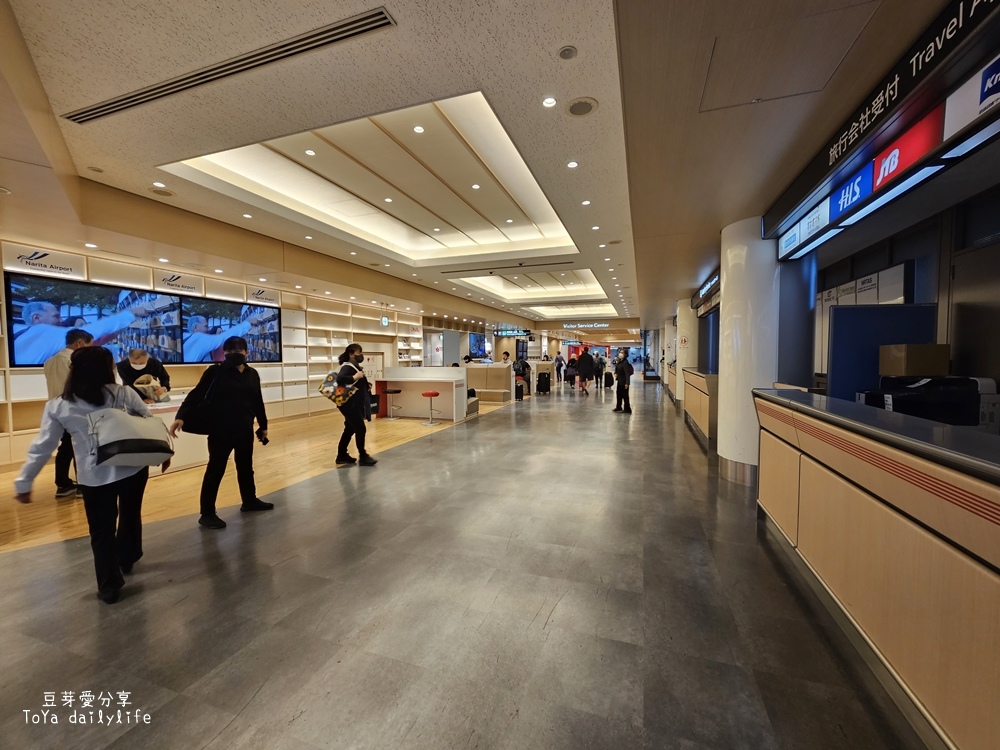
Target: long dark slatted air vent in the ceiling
[(340, 31)]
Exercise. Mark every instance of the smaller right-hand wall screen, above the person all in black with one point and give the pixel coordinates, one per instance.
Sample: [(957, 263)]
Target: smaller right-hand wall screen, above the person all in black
[(208, 323)]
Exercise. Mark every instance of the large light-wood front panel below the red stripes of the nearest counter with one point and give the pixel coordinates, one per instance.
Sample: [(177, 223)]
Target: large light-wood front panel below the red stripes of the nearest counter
[(932, 612)]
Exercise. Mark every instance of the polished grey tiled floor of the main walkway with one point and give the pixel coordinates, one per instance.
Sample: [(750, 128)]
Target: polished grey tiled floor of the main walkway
[(552, 575)]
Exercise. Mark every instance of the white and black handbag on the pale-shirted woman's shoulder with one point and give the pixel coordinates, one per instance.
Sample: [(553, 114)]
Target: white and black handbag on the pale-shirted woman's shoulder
[(123, 439)]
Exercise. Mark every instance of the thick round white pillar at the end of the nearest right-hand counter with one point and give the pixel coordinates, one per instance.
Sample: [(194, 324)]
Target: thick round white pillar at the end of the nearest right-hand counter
[(748, 343)]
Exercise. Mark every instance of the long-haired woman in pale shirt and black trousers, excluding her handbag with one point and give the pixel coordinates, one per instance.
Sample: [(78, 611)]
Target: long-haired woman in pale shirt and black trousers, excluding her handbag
[(112, 495)]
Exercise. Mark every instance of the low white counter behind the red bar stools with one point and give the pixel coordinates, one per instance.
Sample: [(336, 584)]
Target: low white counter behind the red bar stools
[(450, 382)]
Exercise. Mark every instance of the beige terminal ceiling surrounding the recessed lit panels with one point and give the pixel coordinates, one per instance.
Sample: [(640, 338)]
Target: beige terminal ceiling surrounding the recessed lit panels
[(700, 115)]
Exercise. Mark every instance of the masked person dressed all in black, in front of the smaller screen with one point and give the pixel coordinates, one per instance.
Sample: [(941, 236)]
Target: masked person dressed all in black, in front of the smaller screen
[(235, 398)]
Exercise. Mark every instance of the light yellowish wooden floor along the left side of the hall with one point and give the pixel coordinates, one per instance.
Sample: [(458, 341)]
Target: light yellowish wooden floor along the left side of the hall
[(299, 449)]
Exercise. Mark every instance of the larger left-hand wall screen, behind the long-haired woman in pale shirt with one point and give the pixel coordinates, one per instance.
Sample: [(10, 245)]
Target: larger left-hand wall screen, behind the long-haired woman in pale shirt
[(41, 310)]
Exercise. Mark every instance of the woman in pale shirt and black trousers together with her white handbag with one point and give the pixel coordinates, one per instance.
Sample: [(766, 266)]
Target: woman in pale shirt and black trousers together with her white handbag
[(113, 454)]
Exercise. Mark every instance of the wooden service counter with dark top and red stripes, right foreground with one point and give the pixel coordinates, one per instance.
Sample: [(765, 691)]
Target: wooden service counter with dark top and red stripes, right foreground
[(898, 519)]
